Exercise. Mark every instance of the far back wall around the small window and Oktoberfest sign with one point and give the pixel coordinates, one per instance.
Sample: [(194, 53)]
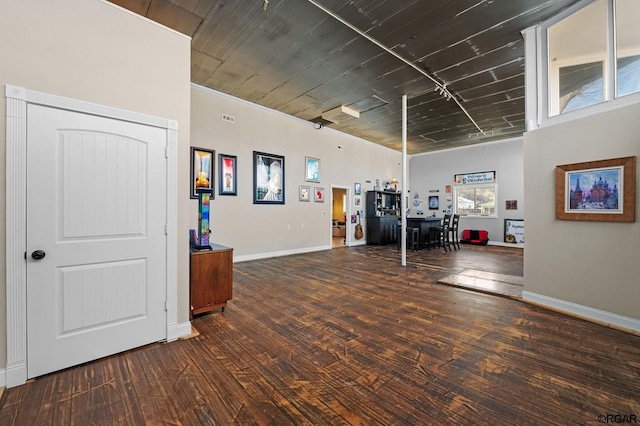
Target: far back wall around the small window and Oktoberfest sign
[(433, 171)]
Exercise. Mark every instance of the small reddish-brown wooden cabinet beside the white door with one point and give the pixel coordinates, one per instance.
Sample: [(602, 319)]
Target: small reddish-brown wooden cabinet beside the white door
[(211, 279)]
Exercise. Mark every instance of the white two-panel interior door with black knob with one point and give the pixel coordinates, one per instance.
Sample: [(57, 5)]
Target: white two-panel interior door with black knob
[(96, 209)]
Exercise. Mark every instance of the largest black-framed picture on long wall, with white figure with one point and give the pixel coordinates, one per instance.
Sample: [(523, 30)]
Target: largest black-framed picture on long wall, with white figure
[(268, 178)]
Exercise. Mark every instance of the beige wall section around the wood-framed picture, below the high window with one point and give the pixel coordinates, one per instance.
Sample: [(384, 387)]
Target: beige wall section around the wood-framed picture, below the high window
[(593, 265)]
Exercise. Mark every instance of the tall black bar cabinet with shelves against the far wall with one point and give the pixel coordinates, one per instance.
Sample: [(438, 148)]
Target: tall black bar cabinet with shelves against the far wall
[(382, 213)]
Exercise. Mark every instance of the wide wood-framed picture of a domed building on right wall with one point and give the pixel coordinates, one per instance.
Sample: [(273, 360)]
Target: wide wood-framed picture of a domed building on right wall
[(602, 190)]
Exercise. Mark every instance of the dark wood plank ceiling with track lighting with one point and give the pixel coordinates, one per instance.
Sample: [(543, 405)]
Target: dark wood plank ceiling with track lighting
[(296, 58)]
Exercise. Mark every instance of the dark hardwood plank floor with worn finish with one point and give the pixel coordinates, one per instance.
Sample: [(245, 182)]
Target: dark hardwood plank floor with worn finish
[(350, 337)]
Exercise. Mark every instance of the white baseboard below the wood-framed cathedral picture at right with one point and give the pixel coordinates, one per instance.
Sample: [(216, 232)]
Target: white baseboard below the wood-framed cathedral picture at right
[(608, 319)]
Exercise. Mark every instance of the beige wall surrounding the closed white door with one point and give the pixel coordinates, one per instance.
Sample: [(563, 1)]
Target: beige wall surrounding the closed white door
[(96, 52)]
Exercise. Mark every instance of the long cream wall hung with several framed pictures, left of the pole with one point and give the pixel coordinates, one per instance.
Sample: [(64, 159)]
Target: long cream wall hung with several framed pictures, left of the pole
[(256, 231)]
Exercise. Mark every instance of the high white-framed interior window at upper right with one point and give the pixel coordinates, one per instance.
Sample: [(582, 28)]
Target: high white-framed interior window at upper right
[(593, 55)]
